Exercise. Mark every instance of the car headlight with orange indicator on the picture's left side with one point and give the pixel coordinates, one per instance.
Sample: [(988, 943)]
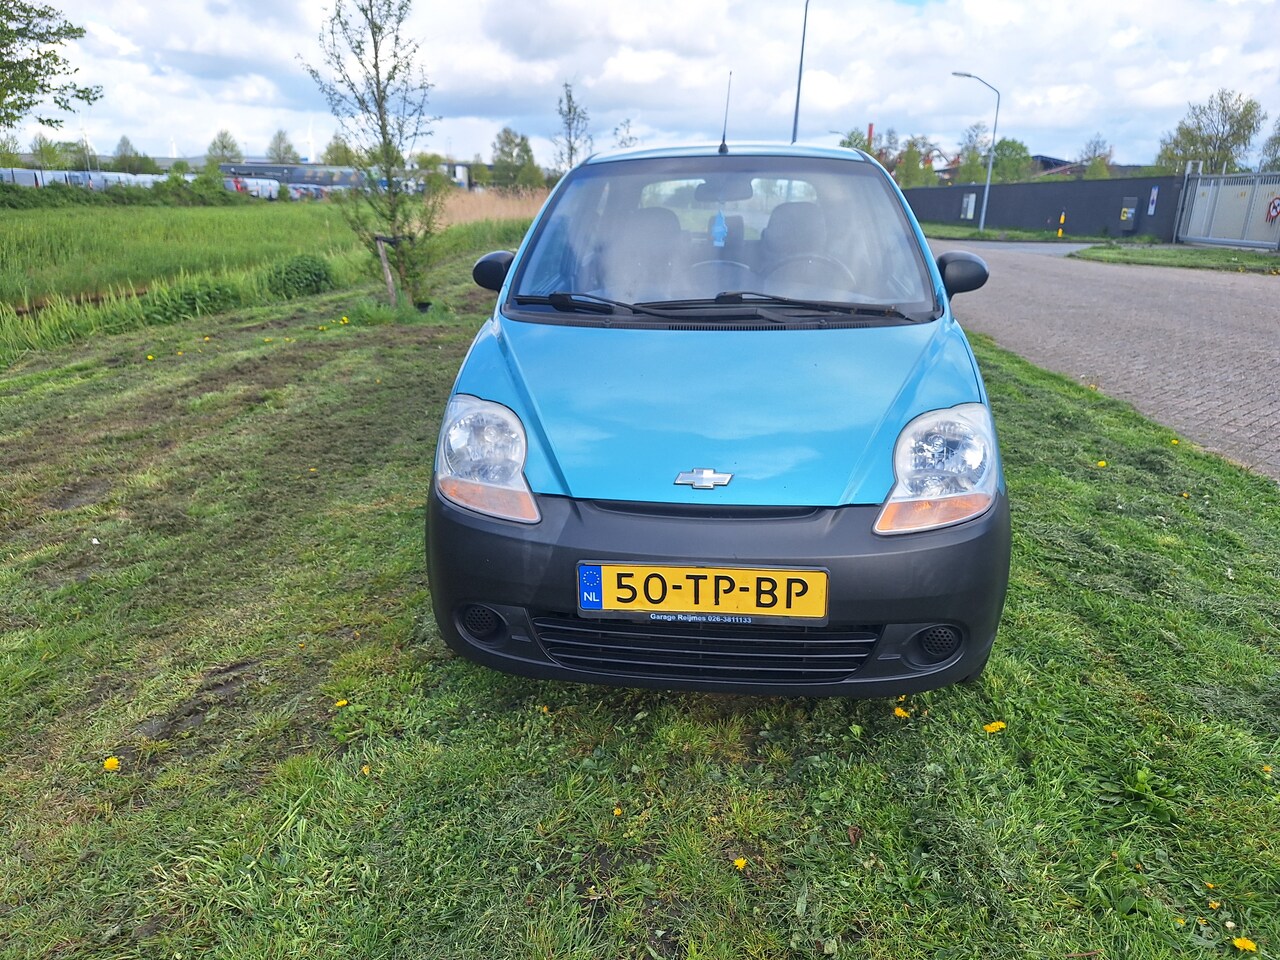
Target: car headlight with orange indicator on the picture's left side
[(481, 461)]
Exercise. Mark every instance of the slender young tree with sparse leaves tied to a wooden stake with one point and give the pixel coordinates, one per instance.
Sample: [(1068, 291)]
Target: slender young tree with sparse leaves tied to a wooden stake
[(371, 76)]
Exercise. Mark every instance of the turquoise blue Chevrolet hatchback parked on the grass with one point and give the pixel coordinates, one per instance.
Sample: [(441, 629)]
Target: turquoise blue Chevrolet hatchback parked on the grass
[(723, 433)]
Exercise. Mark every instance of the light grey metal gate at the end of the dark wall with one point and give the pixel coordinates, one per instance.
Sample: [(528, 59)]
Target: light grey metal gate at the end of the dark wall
[(1235, 211)]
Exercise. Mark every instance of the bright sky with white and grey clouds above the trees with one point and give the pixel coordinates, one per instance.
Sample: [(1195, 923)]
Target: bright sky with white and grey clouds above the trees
[(176, 75)]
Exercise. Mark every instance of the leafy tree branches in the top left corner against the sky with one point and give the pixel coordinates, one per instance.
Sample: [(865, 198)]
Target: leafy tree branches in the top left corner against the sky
[(33, 68)]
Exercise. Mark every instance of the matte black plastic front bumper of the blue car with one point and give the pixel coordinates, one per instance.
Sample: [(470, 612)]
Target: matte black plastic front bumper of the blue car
[(907, 614)]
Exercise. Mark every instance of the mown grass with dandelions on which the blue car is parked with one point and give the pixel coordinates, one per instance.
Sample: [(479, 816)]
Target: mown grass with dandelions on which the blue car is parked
[(228, 726)]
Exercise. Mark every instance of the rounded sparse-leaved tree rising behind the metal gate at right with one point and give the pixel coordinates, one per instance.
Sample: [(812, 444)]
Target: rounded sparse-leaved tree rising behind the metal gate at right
[(1218, 132)]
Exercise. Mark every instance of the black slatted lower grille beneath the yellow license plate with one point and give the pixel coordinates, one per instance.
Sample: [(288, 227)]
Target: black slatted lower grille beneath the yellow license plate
[(749, 655)]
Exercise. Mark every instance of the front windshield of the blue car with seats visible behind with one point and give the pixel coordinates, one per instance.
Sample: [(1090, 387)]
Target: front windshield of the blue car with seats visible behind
[(689, 230)]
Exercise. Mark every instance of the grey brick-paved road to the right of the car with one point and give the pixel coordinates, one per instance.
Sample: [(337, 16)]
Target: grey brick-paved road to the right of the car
[(1197, 351)]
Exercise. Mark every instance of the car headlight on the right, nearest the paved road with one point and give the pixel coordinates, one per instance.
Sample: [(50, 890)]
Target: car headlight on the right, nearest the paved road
[(947, 470)]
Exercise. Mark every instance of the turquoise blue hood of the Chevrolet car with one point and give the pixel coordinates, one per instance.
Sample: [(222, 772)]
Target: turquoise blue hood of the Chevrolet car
[(799, 418)]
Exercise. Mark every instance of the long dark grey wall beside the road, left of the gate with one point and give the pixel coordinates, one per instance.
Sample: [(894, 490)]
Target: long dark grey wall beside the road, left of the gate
[(1092, 208)]
